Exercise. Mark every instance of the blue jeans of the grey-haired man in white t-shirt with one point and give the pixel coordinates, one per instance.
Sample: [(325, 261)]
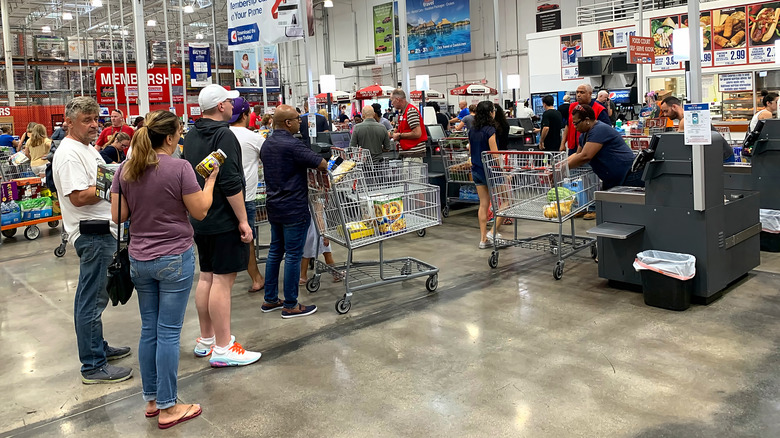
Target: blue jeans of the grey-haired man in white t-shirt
[(95, 253)]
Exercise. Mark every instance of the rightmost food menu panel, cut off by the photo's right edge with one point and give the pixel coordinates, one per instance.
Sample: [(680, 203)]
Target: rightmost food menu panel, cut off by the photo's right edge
[(763, 32)]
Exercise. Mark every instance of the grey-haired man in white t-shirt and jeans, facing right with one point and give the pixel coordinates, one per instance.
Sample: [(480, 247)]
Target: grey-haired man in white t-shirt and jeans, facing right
[(87, 221)]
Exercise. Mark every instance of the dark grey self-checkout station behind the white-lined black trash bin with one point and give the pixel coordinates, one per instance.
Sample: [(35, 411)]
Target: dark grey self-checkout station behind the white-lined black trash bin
[(722, 233)]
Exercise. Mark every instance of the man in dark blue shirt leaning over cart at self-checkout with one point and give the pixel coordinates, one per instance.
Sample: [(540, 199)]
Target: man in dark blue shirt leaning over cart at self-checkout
[(604, 149)]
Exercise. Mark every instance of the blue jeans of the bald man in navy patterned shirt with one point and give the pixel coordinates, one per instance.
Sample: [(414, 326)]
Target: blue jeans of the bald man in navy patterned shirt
[(287, 241)]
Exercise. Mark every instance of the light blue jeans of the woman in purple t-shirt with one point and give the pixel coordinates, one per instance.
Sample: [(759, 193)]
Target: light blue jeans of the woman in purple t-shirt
[(163, 286)]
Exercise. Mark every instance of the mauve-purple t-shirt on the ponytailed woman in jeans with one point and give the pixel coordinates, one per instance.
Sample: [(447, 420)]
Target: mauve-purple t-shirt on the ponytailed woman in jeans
[(159, 225)]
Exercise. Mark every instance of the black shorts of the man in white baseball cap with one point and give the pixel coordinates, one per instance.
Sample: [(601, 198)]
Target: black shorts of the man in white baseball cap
[(223, 253)]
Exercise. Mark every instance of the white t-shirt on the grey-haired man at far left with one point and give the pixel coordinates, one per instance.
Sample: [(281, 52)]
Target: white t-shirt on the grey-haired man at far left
[(75, 168)]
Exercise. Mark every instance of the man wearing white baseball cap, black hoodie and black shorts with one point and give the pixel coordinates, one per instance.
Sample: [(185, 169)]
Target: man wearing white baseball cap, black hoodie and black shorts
[(223, 235)]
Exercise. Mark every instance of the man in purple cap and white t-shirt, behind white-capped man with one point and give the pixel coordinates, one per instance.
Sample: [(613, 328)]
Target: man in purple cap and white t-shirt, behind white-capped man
[(251, 143)]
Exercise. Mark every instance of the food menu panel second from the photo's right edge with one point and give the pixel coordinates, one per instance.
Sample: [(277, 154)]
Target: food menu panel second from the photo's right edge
[(729, 40)]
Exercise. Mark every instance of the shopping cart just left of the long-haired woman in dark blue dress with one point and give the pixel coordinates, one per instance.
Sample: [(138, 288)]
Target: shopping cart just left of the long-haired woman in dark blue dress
[(457, 171)]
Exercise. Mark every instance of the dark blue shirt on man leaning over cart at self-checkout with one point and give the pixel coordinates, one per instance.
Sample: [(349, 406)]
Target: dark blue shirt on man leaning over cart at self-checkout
[(612, 163)]
